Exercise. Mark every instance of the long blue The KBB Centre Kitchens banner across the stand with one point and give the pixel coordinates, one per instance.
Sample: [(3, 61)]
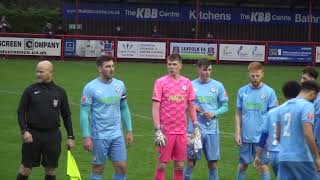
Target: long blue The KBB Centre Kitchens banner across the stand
[(132, 12)]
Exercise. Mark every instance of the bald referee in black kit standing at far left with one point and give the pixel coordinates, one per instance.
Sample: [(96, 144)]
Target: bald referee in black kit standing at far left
[(39, 112)]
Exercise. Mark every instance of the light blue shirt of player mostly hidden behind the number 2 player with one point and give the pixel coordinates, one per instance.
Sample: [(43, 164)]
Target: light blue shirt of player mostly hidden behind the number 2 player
[(269, 126)]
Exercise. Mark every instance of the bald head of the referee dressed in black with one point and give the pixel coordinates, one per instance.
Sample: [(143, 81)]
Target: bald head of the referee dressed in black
[(44, 71)]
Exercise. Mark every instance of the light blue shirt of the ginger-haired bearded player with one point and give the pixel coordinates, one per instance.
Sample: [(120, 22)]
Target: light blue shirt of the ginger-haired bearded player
[(254, 104)]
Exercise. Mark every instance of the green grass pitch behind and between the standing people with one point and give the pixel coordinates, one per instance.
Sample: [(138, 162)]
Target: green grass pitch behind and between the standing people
[(15, 75)]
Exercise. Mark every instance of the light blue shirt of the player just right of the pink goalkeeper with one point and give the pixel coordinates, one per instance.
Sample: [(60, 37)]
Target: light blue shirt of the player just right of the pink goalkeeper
[(209, 96)]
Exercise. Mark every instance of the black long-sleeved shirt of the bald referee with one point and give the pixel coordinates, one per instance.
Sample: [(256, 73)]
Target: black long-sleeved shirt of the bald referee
[(41, 106)]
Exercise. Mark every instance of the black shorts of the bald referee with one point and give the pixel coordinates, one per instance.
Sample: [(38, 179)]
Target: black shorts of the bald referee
[(45, 149)]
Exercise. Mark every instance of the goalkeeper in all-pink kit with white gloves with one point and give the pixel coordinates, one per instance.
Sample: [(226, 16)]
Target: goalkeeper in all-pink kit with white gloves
[(172, 94)]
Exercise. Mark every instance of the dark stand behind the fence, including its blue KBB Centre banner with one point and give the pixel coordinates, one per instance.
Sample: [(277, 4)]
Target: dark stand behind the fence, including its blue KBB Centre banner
[(268, 20)]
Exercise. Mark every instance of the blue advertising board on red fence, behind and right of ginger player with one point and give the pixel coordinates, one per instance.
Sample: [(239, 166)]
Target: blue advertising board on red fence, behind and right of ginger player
[(296, 54)]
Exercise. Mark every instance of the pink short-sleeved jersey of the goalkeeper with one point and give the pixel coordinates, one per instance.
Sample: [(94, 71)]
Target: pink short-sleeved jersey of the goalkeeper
[(173, 96)]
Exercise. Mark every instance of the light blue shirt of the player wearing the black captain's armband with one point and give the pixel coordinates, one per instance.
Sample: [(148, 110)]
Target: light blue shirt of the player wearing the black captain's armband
[(104, 101)]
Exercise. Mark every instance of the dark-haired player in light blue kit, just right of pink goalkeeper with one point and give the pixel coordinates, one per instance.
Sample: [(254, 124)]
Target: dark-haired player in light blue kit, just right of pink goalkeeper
[(211, 102)]
